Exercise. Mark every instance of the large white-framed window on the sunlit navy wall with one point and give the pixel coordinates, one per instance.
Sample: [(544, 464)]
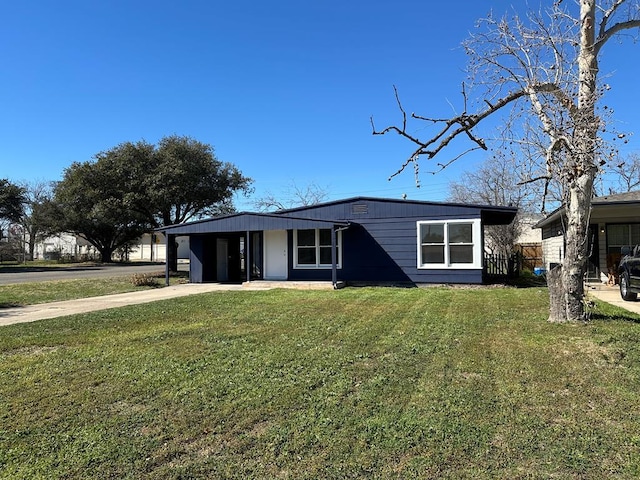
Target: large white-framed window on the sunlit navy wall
[(449, 244)]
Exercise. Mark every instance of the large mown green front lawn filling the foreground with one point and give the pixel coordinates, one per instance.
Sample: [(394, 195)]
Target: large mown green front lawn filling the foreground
[(358, 383)]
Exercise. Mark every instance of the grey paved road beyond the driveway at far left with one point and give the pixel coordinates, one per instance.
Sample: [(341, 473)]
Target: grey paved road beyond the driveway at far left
[(9, 275)]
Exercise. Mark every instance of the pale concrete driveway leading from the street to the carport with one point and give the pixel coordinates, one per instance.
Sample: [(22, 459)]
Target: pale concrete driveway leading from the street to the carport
[(42, 311)]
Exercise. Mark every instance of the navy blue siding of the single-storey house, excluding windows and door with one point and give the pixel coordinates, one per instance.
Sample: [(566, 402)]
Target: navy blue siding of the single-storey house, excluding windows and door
[(380, 244)]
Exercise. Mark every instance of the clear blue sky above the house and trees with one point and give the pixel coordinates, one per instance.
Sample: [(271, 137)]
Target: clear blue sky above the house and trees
[(283, 89)]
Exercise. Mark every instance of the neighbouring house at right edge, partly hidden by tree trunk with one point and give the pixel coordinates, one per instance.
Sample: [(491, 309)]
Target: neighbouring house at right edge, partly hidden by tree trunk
[(613, 224)]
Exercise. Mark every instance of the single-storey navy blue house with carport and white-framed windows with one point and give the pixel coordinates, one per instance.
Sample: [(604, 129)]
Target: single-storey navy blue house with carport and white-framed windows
[(359, 240)]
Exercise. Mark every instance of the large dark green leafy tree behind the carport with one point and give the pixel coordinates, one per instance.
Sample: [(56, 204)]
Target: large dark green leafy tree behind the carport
[(135, 187)]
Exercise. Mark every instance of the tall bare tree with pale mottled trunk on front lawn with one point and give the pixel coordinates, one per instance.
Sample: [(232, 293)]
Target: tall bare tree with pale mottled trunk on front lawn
[(541, 72)]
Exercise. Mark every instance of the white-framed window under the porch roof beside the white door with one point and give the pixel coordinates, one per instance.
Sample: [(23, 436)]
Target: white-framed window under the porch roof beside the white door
[(313, 248)]
